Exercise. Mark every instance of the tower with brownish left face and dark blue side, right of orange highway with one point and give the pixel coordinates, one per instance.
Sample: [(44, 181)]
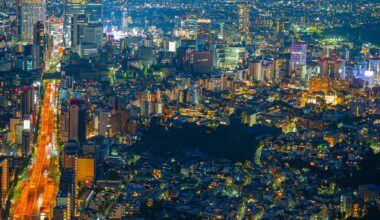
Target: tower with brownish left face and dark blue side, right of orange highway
[(77, 121)]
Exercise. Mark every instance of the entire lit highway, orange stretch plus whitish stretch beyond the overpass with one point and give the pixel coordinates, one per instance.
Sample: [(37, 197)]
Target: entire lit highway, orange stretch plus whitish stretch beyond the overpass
[(39, 188)]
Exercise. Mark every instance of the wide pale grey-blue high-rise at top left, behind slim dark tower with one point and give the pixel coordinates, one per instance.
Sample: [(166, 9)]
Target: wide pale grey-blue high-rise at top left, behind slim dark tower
[(29, 12)]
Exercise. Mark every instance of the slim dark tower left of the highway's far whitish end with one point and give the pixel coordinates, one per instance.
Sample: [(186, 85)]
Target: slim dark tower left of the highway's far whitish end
[(39, 42)]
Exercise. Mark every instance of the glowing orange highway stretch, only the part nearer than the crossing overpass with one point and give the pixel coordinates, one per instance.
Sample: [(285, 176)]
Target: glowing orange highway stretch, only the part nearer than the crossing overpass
[(38, 196)]
